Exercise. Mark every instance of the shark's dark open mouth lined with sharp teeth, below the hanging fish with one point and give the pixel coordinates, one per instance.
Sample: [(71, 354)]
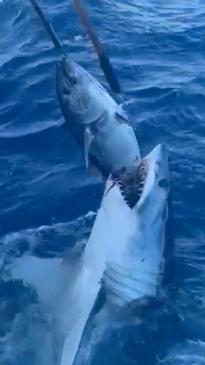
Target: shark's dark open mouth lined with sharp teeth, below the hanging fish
[(131, 184)]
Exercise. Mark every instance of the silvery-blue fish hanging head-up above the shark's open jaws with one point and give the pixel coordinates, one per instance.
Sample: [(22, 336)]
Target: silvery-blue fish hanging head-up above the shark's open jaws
[(94, 119)]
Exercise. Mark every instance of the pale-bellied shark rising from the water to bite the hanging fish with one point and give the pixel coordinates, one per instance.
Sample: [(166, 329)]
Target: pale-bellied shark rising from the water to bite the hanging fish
[(125, 256)]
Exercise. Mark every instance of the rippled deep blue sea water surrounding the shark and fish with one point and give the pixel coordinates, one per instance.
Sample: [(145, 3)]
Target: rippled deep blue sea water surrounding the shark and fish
[(158, 51)]
